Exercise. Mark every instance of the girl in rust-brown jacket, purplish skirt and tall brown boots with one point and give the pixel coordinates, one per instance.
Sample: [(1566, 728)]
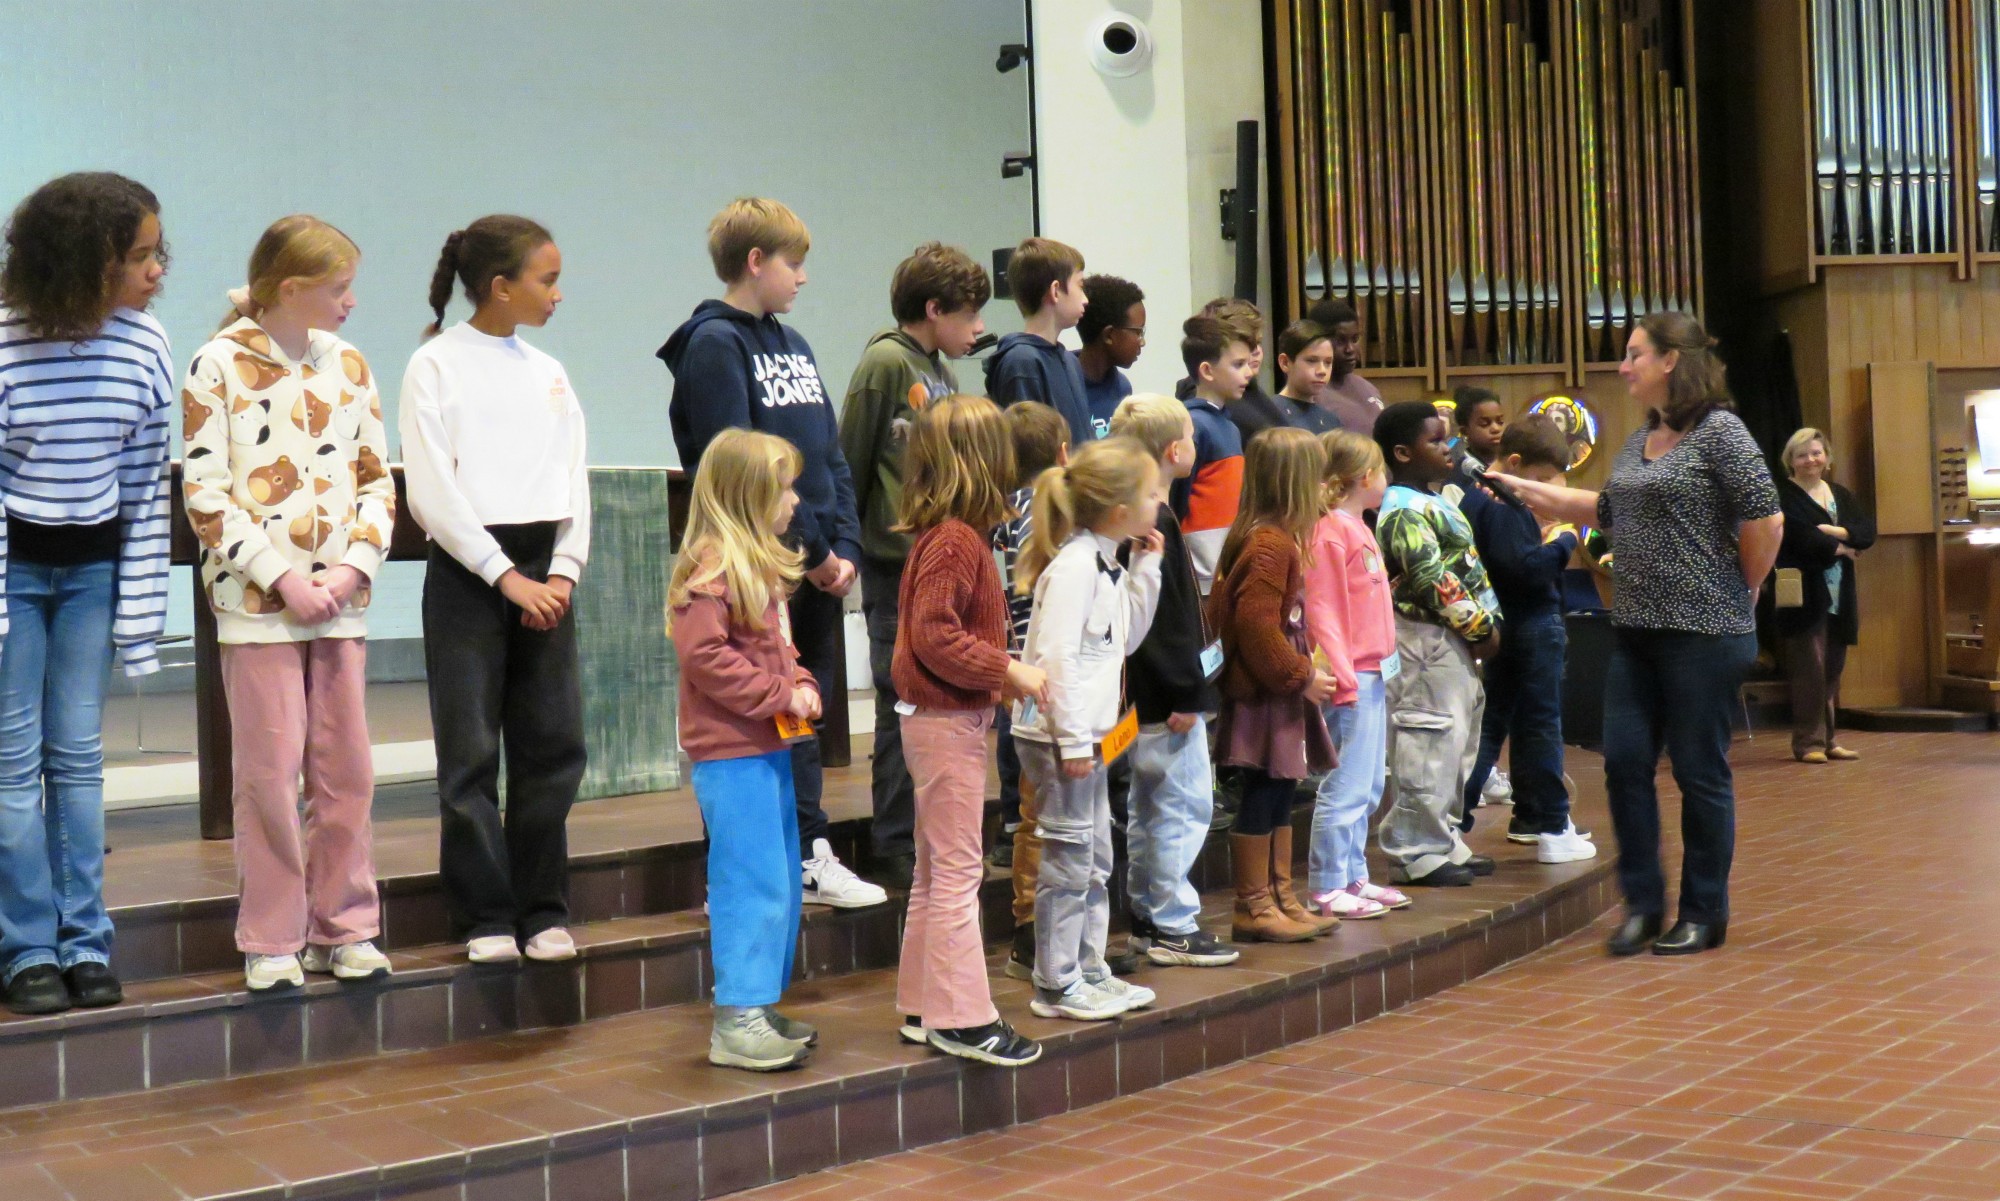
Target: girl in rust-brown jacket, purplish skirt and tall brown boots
[(1273, 692)]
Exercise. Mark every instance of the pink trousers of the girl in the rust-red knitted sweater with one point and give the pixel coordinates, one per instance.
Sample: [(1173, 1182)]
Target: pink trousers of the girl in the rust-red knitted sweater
[(943, 974)]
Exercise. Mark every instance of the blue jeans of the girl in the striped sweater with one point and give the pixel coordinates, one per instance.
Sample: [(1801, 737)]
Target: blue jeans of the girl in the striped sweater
[(53, 666)]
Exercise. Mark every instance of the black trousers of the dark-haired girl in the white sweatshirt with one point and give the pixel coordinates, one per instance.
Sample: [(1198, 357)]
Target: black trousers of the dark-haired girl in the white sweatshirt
[(495, 682)]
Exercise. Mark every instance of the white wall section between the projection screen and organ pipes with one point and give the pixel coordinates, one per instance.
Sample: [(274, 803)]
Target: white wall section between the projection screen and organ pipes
[(1131, 169)]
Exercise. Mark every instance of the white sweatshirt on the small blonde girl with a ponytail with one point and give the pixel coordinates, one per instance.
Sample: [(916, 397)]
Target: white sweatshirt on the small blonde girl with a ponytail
[(1087, 620)]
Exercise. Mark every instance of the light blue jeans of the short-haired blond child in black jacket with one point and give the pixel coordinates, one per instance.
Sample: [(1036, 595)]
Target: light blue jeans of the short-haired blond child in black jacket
[(1171, 804)]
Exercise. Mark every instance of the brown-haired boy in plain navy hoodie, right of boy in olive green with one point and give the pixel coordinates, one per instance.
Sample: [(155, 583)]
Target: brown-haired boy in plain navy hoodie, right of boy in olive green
[(1047, 281)]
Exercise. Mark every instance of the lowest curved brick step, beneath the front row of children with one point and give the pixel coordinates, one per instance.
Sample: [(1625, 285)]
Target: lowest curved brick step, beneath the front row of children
[(627, 1108)]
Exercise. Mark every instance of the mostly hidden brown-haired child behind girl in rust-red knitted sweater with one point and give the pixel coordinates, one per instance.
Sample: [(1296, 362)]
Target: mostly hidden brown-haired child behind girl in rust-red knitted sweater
[(1041, 441)]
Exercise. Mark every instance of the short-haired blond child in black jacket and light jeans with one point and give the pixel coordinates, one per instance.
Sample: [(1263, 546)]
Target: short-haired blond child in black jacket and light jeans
[(1169, 678)]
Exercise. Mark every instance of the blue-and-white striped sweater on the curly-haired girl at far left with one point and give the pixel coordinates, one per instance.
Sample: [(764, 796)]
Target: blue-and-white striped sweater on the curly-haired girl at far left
[(83, 441)]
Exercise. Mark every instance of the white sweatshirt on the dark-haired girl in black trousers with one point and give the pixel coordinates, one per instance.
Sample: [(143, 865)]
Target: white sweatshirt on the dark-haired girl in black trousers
[(493, 435)]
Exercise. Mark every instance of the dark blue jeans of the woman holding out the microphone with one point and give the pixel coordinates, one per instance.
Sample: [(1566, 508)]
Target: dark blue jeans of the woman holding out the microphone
[(1675, 692)]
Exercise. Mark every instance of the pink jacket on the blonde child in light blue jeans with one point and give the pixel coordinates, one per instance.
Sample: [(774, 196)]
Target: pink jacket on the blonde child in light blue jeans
[(1351, 616)]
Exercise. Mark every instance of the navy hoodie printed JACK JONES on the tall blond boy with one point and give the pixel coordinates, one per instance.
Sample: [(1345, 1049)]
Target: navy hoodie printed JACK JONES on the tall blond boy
[(741, 371)]
